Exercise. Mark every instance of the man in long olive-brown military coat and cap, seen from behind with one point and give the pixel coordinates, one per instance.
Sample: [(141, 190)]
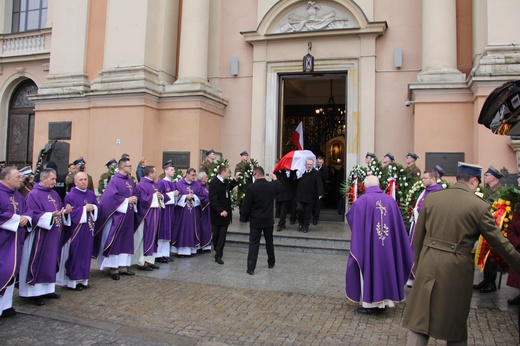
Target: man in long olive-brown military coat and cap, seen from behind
[(449, 223)]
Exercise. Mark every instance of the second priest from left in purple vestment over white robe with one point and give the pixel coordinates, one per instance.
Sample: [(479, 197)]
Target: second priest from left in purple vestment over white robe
[(42, 250)]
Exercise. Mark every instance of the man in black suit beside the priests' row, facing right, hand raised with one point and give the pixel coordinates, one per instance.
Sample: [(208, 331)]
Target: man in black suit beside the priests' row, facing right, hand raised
[(220, 208)]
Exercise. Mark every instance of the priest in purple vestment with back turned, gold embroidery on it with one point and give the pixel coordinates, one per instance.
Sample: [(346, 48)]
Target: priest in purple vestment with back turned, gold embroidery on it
[(380, 258)]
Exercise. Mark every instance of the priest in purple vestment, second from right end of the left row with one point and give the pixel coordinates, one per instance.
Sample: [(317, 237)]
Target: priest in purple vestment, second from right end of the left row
[(186, 239)]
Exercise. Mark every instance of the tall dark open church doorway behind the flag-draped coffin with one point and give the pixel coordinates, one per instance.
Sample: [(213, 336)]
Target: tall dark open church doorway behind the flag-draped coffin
[(318, 101)]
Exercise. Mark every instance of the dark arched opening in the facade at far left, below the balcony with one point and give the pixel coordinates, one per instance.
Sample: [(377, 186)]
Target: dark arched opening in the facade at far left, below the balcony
[(20, 125)]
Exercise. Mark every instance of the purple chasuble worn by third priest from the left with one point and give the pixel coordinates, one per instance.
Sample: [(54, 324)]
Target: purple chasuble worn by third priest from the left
[(81, 234)]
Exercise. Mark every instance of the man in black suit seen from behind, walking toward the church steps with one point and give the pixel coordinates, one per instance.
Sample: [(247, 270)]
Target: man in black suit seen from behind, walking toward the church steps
[(258, 207)]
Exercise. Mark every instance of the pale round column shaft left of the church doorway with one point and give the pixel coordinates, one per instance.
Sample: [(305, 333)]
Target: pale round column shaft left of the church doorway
[(193, 56)]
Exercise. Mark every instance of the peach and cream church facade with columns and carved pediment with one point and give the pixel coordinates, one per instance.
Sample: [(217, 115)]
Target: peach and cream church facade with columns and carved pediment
[(170, 79)]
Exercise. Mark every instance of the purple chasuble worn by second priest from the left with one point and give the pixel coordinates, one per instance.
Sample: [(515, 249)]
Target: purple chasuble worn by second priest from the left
[(45, 252)]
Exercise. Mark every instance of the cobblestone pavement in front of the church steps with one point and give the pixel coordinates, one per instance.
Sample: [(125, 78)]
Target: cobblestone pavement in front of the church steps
[(195, 301)]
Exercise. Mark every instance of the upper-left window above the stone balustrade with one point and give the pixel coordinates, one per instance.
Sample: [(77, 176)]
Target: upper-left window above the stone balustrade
[(29, 15)]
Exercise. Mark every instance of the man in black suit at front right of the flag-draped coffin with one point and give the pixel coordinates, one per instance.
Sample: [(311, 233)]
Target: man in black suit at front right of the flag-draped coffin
[(309, 188)]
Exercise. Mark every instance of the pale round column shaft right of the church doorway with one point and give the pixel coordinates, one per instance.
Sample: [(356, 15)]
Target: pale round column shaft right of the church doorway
[(439, 61)]
